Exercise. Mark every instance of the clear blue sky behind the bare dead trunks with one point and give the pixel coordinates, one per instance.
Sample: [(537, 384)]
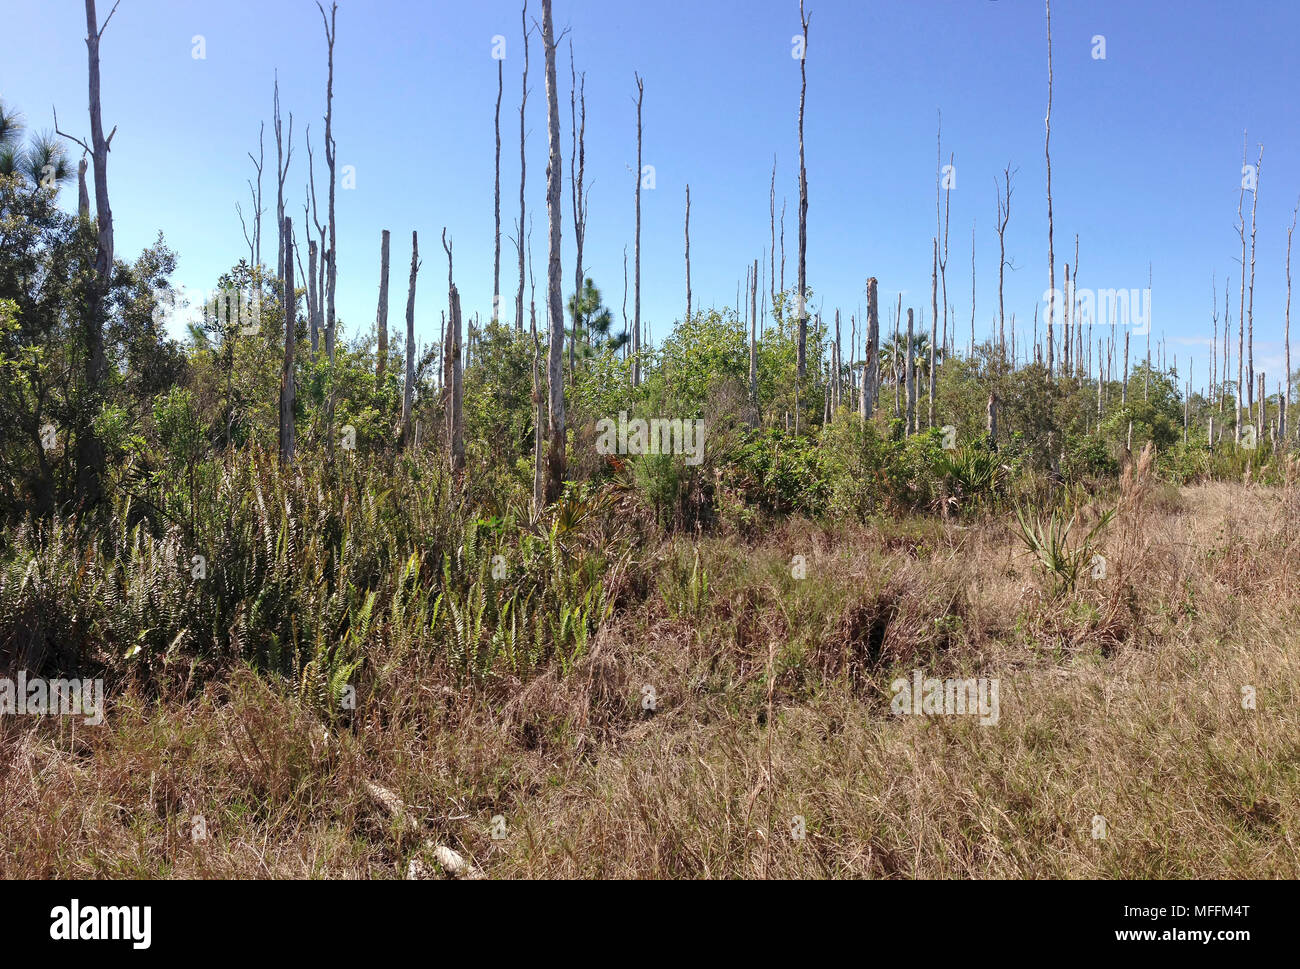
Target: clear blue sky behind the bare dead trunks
[(1147, 145)]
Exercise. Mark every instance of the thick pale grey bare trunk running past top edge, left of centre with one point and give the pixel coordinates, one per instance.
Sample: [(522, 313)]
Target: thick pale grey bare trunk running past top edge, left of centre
[(556, 457)]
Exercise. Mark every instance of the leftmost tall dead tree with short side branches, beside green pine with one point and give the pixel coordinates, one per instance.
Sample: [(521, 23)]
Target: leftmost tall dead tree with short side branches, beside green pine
[(90, 451)]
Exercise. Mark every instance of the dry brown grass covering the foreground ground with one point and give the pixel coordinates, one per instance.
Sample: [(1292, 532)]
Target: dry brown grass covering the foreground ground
[(1123, 700)]
